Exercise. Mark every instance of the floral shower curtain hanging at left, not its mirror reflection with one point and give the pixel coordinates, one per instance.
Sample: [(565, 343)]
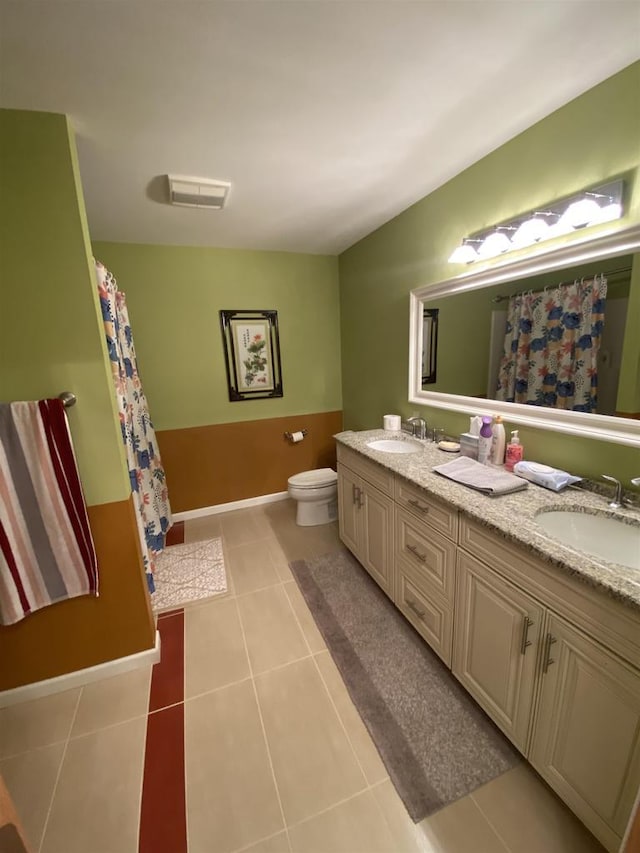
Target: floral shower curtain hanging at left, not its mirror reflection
[(146, 473)]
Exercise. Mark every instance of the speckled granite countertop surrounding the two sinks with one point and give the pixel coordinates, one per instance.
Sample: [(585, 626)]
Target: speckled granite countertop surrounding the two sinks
[(513, 515)]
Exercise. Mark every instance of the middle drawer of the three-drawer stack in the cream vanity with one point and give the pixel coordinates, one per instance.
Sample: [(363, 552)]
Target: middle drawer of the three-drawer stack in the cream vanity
[(431, 555)]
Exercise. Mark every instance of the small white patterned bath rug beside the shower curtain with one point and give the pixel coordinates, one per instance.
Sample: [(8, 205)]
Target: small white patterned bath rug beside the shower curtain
[(188, 572)]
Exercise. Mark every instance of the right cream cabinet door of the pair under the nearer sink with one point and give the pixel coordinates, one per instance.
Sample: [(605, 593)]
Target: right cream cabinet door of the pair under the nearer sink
[(586, 740)]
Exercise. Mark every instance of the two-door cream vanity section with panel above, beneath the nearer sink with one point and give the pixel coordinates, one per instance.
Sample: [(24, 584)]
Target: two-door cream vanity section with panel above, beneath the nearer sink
[(551, 661)]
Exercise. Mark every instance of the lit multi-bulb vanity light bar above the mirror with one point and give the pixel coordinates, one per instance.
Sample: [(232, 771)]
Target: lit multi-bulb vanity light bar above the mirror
[(594, 206)]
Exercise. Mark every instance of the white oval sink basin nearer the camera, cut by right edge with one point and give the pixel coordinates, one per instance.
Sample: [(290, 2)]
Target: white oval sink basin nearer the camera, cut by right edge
[(597, 535)]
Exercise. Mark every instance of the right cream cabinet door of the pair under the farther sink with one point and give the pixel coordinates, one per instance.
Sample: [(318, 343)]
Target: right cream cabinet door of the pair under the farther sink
[(377, 537)]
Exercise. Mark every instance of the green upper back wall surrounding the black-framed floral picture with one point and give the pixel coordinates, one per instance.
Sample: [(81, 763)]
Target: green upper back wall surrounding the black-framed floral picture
[(174, 294)]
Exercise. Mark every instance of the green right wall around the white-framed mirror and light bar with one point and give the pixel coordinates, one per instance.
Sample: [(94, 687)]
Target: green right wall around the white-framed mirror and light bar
[(595, 137)]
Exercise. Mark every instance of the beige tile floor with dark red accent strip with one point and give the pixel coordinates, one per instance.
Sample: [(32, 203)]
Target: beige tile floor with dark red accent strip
[(276, 758)]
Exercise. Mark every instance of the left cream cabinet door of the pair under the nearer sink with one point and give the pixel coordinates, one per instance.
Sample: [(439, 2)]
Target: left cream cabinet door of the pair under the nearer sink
[(496, 640)]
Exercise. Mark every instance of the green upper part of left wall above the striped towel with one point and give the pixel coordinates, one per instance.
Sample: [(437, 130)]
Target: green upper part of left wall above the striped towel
[(50, 330)]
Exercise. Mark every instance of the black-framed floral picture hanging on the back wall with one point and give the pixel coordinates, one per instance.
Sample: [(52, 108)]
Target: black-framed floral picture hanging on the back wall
[(252, 354)]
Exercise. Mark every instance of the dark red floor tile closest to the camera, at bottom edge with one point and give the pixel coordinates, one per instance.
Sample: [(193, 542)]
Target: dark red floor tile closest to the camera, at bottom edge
[(163, 818)]
